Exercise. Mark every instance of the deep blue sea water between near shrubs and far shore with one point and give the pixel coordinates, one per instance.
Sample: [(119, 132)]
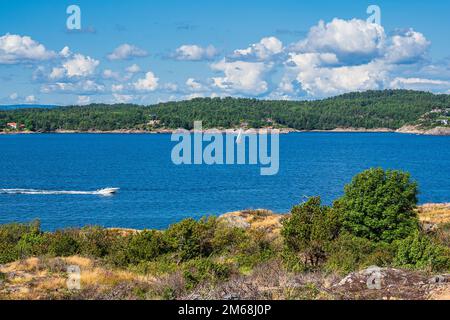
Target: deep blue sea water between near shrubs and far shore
[(155, 193)]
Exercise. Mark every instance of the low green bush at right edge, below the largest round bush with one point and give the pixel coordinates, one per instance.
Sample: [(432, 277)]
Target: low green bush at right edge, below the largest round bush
[(419, 251)]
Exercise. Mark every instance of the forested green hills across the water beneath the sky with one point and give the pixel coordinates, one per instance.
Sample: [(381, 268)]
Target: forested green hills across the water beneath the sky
[(390, 109)]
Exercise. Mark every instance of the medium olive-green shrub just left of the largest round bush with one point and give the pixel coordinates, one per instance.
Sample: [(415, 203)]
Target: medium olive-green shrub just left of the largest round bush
[(310, 230)]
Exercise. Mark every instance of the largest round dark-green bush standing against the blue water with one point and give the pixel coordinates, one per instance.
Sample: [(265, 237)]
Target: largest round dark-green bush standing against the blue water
[(379, 205)]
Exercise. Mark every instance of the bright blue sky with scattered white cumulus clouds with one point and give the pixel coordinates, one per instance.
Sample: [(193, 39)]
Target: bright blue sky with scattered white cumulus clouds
[(148, 52)]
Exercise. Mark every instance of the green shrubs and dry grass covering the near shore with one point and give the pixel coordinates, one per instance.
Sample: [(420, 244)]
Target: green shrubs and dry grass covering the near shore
[(375, 222)]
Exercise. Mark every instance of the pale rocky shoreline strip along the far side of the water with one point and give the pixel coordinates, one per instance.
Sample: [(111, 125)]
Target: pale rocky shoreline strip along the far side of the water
[(438, 131)]
